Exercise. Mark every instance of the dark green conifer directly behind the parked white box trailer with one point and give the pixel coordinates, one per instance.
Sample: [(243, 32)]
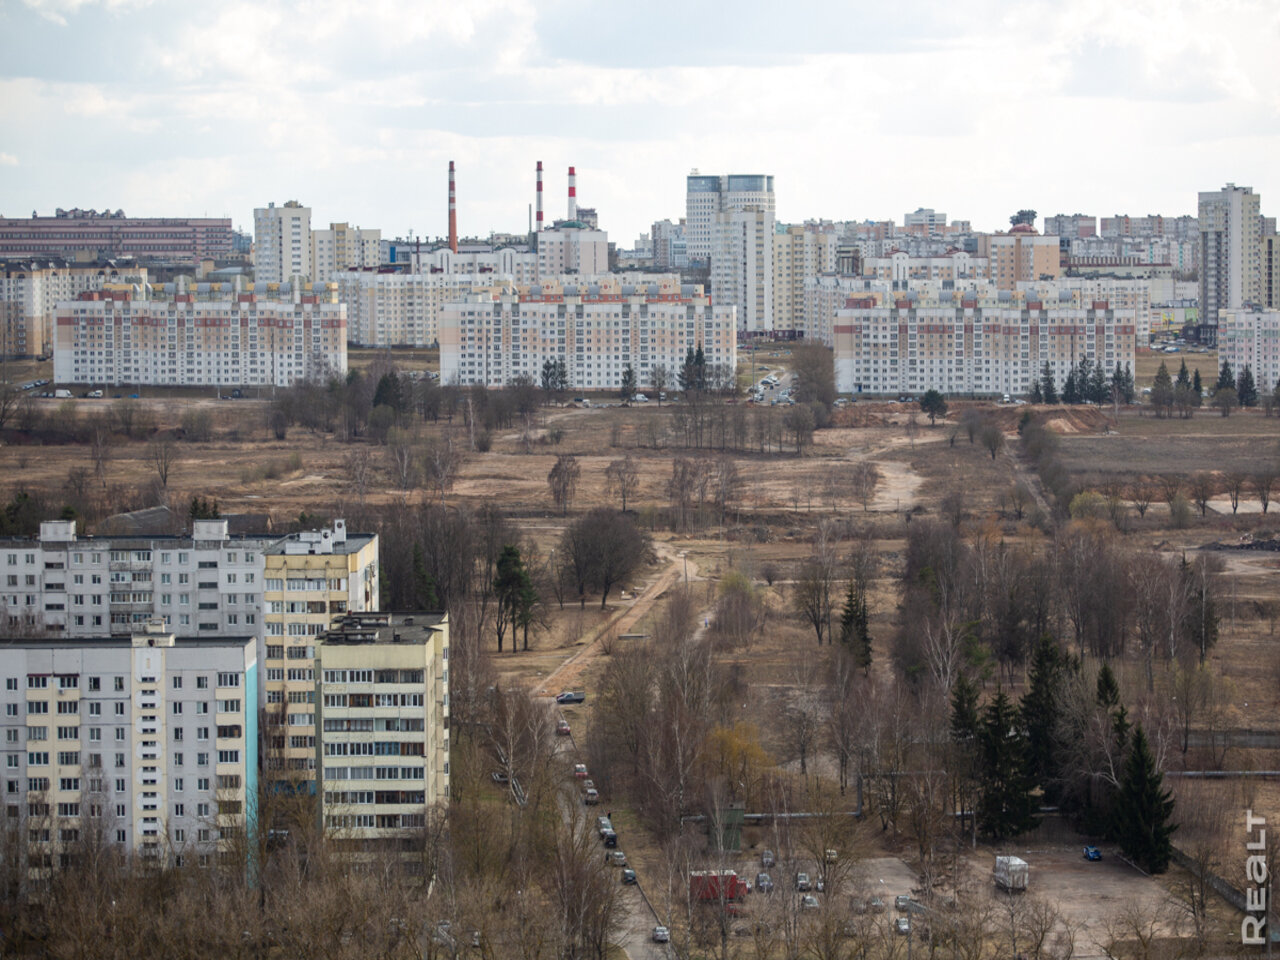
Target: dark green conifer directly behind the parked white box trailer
[(1007, 807)]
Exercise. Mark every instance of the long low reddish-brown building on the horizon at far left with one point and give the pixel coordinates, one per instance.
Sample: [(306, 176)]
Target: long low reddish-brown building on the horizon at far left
[(88, 235)]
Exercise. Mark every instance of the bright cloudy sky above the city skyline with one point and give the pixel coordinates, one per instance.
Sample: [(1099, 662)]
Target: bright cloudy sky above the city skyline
[(860, 109)]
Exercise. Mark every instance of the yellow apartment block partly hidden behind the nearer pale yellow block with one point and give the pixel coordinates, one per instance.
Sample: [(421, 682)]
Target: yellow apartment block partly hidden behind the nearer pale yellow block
[(312, 580)]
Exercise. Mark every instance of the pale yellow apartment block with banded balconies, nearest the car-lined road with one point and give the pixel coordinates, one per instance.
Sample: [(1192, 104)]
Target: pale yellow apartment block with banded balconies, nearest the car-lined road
[(382, 756)]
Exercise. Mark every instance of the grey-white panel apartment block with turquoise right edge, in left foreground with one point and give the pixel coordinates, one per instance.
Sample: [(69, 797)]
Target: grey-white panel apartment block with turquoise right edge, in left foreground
[(145, 744)]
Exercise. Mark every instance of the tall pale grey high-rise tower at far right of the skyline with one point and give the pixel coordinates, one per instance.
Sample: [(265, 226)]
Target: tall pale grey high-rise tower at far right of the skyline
[(1231, 250)]
